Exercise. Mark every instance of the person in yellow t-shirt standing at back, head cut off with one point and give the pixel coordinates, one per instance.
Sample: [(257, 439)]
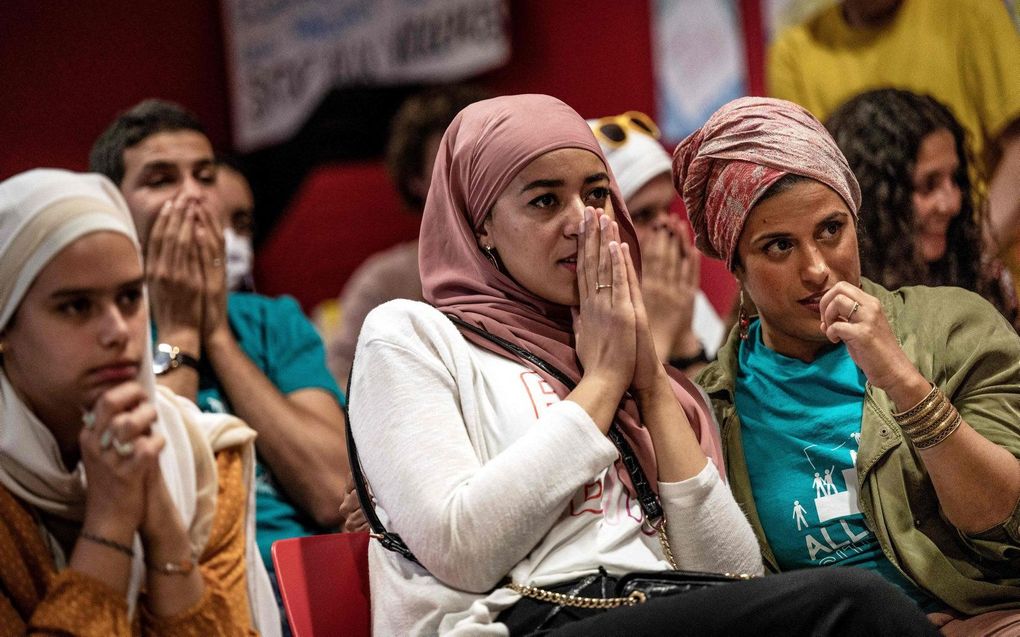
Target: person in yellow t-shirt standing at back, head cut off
[(965, 55)]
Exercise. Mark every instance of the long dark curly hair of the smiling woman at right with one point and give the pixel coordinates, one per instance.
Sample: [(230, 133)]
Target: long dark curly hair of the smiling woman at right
[(881, 133)]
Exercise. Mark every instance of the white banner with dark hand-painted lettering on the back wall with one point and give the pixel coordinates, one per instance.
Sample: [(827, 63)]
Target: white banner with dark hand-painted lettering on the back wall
[(286, 55)]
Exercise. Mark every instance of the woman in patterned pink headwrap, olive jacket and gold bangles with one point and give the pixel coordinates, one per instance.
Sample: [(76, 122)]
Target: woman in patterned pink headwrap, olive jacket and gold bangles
[(862, 427)]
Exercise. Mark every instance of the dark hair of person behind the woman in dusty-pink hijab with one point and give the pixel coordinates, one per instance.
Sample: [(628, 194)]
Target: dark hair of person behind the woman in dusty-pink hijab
[(420, 118)]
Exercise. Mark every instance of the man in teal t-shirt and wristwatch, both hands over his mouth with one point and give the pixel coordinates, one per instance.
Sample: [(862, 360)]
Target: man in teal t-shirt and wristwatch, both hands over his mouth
[(256, 357)]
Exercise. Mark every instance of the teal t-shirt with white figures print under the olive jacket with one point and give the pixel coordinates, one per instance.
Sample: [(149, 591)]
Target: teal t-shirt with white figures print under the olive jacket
[(801, 429)]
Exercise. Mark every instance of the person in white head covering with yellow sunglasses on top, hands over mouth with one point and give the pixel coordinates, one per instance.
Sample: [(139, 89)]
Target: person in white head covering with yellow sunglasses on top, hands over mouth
[(686, 328)]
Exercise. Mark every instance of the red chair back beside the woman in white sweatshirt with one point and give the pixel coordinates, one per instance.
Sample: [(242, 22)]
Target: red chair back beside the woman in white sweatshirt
[(324, 580)]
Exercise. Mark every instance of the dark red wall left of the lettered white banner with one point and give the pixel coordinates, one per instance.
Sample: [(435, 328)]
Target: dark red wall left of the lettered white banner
[(67, 69)]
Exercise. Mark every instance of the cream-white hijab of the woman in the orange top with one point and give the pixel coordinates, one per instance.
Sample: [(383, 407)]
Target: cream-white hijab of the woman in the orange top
[(42, 213)]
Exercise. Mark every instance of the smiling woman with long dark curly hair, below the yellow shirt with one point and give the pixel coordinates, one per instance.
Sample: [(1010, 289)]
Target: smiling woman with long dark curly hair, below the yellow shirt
[(911, 158)]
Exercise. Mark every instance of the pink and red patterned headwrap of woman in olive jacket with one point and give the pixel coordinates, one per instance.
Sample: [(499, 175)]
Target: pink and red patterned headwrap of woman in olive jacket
[(725, 168)]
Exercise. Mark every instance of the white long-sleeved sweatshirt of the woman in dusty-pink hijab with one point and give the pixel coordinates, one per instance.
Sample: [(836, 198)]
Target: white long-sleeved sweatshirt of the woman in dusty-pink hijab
[(486, 474)]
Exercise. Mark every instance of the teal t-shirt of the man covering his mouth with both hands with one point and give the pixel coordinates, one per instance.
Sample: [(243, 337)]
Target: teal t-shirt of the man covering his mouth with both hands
[(279, 339)]
